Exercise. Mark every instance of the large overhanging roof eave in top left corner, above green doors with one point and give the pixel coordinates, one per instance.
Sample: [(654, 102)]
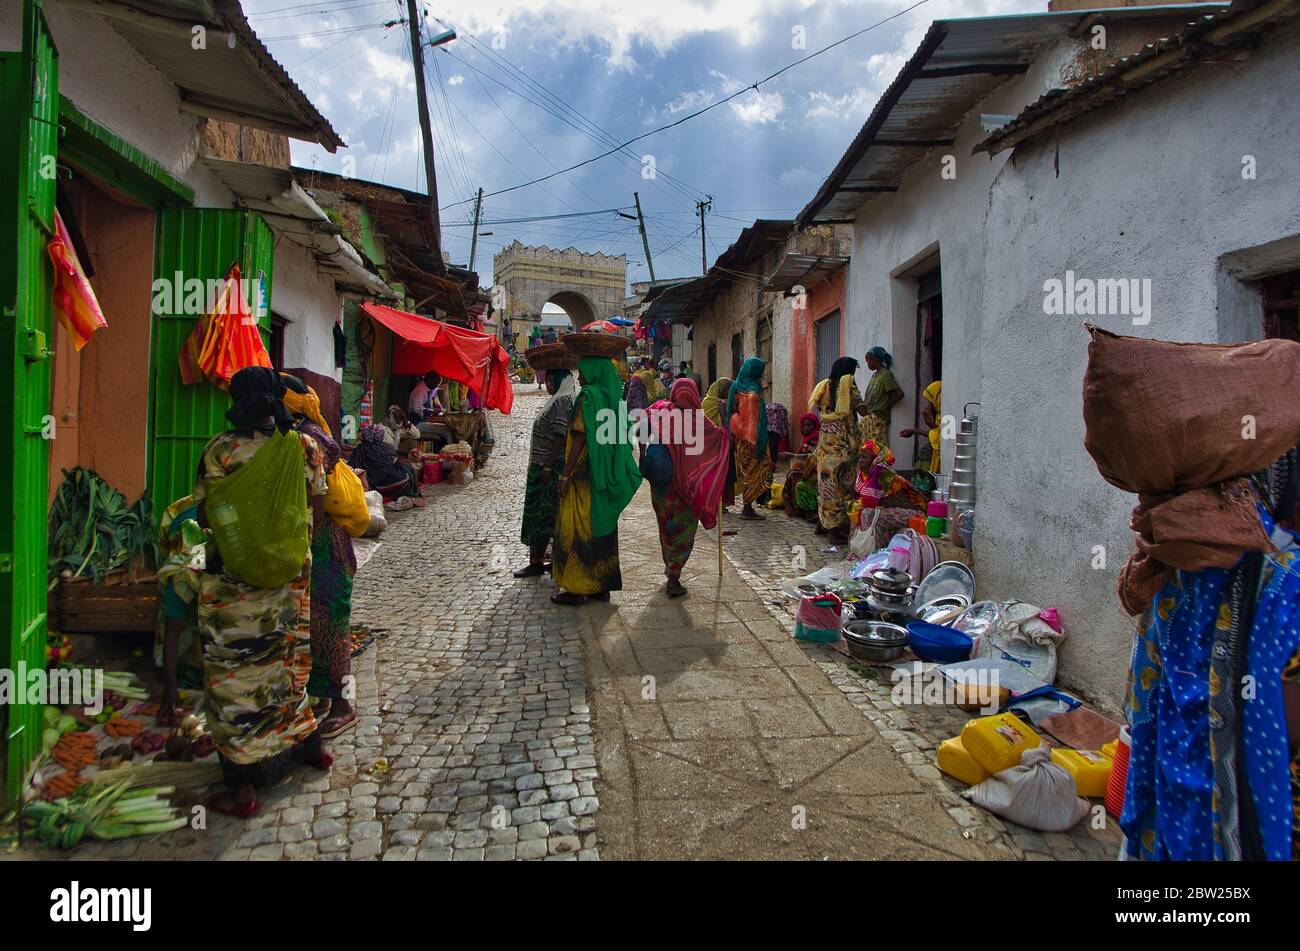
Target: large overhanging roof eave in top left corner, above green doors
[(235, 77)]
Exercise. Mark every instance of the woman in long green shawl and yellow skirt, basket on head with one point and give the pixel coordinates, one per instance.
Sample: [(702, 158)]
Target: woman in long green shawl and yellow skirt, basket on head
[(600, 477)]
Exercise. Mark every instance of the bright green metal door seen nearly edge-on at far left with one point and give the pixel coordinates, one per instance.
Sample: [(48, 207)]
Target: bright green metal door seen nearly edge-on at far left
[(29, 142)]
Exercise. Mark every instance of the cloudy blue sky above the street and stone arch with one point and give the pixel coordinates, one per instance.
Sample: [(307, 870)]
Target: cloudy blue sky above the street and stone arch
[(535, 86)]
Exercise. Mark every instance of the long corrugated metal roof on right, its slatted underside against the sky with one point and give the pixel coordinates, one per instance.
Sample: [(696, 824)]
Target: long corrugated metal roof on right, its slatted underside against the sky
[(957, 64)]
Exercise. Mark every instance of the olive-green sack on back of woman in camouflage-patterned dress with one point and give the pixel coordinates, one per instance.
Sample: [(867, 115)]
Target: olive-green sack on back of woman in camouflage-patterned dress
[(259, 515)]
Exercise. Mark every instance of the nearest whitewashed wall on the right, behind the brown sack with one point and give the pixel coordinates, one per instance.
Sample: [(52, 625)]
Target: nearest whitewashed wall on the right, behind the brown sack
[(1150, 188)]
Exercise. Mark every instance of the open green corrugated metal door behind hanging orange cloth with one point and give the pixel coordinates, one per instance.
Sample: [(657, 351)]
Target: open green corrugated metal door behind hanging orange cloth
[(194, 245)]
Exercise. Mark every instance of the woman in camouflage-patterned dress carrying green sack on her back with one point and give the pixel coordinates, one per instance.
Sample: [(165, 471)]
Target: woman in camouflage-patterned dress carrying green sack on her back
[(254, 683)]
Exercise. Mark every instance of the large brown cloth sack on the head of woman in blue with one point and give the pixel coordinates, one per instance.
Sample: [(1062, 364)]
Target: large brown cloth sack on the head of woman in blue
[(1169, 423)]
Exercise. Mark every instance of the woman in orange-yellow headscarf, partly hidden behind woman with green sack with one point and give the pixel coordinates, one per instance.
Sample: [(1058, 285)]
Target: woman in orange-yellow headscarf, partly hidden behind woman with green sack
[(333, 570)]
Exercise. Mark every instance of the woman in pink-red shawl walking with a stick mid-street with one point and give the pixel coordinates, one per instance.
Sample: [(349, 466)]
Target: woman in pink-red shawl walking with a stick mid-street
[(699, 476)]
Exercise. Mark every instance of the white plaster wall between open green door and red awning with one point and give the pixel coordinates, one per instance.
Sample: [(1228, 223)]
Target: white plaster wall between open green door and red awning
[(311, 306)]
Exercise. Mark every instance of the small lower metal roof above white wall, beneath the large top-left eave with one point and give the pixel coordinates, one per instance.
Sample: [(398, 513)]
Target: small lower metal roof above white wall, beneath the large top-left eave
[(276, 196)]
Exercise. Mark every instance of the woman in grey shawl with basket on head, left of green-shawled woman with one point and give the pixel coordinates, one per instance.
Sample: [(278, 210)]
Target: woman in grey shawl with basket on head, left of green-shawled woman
[(554, 364)]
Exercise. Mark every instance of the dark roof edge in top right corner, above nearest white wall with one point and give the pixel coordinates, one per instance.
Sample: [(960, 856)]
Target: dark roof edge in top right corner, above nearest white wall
[(1152, 63)]
